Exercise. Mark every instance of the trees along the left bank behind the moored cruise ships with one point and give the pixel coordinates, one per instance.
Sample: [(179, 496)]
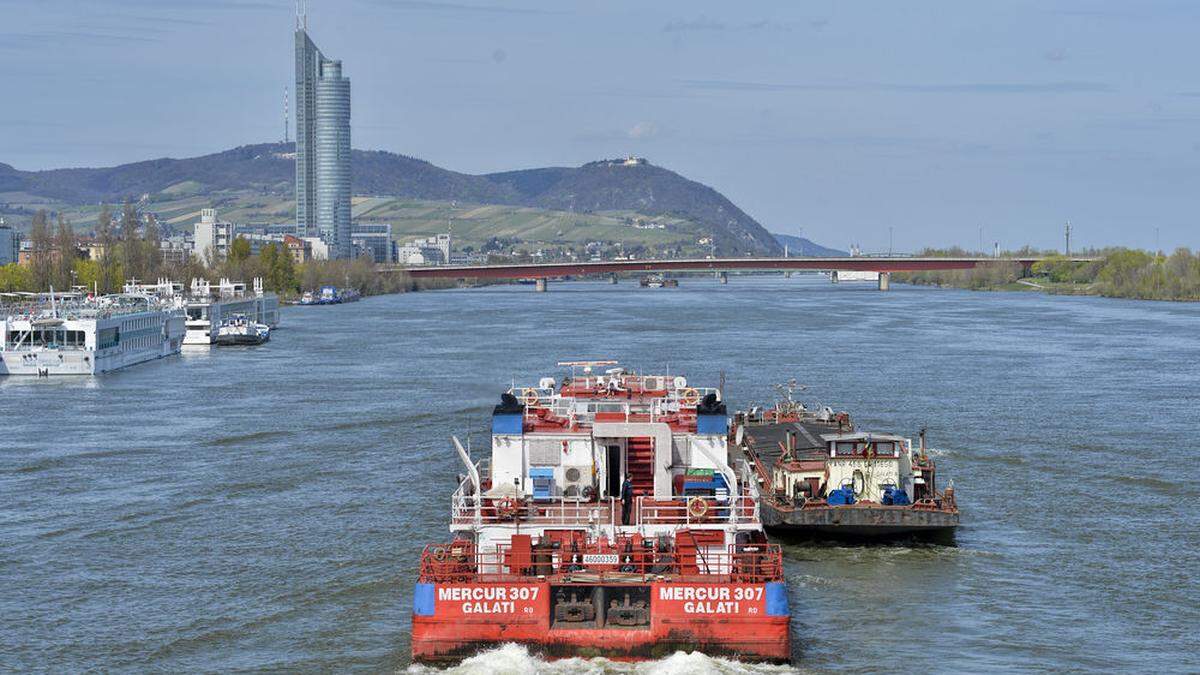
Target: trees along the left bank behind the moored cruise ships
[(133, 250)]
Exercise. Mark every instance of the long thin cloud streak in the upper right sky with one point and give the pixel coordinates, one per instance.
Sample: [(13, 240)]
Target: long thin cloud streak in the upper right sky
[(965, 88)]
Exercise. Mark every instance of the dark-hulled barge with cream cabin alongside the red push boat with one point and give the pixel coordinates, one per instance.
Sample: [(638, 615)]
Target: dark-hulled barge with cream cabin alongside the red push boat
[(823, 479)]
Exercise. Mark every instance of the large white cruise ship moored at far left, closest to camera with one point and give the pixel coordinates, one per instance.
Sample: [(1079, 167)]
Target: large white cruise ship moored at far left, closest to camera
[(87, 336)]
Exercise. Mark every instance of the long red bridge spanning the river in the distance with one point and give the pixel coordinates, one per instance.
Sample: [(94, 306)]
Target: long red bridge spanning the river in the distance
[(856, 264)]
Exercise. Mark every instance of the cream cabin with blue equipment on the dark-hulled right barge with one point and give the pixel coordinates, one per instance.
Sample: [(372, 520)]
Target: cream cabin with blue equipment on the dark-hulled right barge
[(853, 468)]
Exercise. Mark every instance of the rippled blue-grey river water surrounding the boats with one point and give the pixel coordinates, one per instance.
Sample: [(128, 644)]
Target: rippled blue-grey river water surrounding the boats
[(265, 509)]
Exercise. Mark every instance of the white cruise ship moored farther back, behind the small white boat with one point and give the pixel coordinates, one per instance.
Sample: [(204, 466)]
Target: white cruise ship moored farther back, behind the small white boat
[(209, 306)]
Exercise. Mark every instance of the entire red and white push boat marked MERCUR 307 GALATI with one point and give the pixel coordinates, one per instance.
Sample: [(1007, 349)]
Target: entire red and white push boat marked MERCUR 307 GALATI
[(607, 522)]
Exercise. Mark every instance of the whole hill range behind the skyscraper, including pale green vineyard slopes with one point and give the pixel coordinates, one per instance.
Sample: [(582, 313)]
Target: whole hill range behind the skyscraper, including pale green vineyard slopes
[(599, 201)]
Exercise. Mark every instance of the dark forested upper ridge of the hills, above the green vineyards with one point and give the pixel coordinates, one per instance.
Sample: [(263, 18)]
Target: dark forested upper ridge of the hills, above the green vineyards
[(271, 169)]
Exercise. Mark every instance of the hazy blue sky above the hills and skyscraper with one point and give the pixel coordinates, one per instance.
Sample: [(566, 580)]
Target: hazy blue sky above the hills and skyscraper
[(922, 124)]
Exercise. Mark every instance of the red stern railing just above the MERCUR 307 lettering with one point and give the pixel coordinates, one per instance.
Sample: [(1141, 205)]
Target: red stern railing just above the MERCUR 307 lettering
[(621, 563)]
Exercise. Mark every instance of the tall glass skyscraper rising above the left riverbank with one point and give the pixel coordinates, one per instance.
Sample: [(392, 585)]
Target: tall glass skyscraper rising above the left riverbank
[(323, 146)]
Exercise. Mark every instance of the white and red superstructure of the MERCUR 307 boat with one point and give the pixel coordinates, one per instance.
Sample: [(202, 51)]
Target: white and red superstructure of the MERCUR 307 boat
[(563, 452)]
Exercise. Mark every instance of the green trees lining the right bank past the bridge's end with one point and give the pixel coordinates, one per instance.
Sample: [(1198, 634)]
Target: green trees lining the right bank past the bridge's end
[(1117, 273)]
